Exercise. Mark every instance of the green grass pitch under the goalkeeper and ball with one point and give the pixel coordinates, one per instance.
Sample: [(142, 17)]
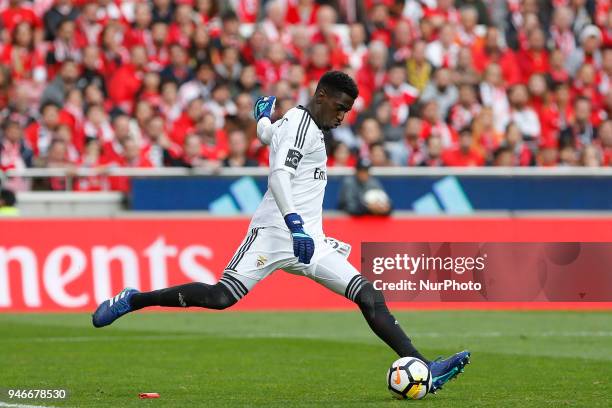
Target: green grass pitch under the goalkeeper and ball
[(289, 359)]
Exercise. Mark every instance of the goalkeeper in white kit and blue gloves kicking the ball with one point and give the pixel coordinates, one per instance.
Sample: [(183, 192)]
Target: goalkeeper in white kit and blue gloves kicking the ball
[(286, 231)]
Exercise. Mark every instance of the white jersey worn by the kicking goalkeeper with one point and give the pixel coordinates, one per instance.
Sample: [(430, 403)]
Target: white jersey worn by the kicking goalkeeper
[(297, 146)]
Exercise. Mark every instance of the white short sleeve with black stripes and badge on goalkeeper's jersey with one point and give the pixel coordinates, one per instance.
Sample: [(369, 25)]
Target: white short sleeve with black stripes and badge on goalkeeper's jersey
[(289, 142)]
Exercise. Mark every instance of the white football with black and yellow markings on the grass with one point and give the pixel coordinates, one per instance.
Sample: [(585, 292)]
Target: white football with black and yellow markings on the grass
[(409, 378)]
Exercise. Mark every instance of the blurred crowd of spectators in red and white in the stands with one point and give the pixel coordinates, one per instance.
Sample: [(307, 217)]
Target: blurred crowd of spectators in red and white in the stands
[(120, 83)]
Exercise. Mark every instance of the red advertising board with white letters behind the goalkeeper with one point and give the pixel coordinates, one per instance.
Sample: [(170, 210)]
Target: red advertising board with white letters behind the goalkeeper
[(72, 264)]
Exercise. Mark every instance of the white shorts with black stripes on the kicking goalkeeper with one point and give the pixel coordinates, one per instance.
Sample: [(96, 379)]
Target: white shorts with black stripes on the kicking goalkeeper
[(265, 250)]
